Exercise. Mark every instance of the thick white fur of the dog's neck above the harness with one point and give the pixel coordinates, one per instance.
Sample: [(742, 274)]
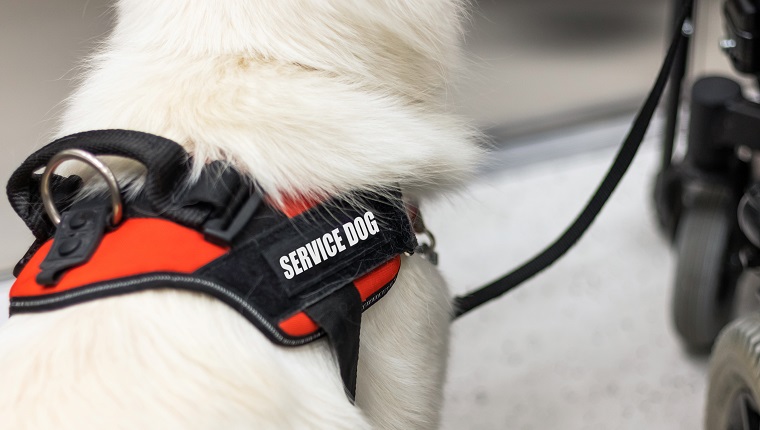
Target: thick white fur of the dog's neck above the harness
[(307, 98)]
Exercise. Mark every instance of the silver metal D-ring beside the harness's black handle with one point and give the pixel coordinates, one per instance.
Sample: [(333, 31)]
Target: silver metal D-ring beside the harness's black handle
[(87, 158)]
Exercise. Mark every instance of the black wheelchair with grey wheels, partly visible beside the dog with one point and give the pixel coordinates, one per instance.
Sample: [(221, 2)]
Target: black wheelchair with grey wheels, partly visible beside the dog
[(708, 205)]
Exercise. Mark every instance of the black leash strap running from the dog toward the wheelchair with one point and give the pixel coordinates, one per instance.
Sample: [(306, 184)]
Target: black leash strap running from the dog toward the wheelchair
[(570, 237)]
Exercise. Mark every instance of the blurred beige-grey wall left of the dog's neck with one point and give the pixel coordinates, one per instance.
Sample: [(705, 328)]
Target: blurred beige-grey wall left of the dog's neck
[(40, 41)]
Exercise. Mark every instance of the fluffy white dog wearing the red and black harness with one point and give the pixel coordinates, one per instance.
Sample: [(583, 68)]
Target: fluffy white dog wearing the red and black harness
[(309, 97)]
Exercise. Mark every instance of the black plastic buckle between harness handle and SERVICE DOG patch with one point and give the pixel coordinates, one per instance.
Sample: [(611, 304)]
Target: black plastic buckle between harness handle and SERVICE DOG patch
[(223, 229)]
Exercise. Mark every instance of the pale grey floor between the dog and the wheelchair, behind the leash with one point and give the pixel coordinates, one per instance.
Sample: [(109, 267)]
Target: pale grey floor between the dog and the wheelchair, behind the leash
[(586, 345)]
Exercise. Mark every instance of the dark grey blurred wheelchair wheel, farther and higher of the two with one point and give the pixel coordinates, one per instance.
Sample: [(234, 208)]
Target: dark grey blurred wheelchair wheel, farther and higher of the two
[(704, 285)]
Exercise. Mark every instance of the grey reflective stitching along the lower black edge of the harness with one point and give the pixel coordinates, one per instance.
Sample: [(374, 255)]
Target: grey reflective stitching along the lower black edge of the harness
[(205, 283)]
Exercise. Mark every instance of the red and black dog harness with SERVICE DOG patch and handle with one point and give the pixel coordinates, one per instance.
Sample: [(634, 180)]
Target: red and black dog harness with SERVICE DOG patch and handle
[(297, 271)]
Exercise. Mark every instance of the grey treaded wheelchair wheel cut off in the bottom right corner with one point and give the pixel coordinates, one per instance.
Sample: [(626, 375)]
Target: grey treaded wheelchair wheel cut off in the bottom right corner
[(733, 393)]
